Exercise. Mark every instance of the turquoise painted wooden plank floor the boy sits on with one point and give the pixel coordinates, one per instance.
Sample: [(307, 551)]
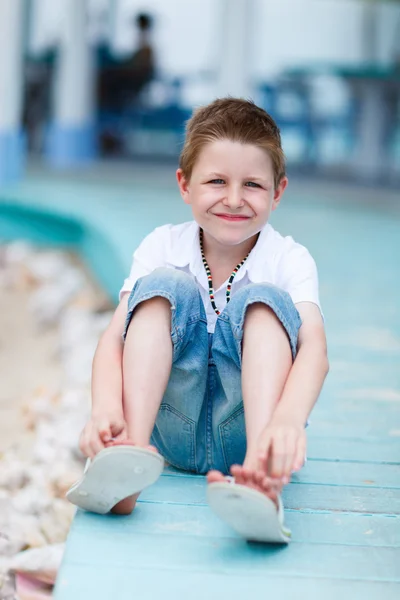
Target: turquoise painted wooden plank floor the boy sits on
[(344, 506)]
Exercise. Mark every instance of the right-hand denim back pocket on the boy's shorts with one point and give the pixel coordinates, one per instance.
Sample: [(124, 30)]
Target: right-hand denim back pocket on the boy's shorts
[(233, 438)]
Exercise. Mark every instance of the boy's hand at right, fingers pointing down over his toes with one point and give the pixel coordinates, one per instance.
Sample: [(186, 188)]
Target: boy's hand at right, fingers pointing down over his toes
[(282, 448)]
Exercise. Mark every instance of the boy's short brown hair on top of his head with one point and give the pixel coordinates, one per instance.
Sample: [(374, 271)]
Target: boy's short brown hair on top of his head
[(236, 120)]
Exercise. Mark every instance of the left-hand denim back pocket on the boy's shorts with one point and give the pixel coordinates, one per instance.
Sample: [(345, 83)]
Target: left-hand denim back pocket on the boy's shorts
[(174, 437)]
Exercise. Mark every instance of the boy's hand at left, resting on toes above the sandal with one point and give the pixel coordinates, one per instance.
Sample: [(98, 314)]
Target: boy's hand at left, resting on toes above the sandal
[(100, 430)]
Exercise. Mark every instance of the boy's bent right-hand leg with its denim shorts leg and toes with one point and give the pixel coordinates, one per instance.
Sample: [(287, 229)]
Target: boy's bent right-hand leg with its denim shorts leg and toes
[(255, 340)]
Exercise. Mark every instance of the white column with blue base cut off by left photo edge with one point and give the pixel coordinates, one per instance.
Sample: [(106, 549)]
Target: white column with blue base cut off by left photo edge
[(12, 146)]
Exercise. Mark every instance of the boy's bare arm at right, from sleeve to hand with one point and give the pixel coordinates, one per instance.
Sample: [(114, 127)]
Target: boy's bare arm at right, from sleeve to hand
[(283, 442)]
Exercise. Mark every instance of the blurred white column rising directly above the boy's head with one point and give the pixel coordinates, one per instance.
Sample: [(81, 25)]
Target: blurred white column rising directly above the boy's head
[(235, 48)]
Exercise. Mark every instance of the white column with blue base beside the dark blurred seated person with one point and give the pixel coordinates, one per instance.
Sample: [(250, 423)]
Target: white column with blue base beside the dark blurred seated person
[(72, 135)]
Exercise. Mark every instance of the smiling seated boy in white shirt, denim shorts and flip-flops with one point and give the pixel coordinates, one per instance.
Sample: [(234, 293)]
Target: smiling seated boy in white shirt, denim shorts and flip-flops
[(217, 352)]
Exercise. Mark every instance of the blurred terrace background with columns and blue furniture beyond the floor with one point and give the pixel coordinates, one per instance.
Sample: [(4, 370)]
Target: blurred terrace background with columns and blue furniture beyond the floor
[(118, 78)]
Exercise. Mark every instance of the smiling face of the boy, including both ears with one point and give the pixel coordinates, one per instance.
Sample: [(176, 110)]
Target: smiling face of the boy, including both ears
[(231, 190)]
